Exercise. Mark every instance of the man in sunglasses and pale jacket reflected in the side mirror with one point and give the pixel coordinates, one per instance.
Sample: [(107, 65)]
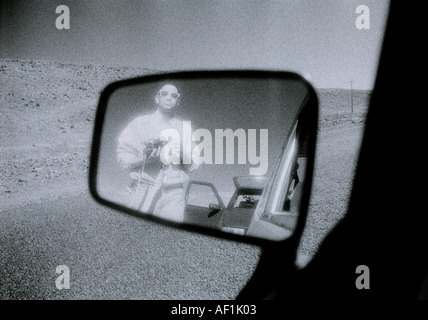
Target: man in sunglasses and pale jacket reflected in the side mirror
[(157, 186)]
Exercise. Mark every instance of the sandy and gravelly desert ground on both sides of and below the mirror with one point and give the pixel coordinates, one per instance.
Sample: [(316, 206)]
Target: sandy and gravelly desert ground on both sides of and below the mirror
[(47, 112)]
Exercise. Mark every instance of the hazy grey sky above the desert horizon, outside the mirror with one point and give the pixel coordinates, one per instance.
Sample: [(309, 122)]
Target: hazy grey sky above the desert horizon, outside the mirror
[(319, 38)]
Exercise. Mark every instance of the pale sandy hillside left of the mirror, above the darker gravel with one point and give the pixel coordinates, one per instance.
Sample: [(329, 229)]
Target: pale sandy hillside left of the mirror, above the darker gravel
[(46, 121)]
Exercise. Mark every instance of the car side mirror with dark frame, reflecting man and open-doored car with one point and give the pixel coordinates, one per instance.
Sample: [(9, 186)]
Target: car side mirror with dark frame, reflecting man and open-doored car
[(175, 147)]
